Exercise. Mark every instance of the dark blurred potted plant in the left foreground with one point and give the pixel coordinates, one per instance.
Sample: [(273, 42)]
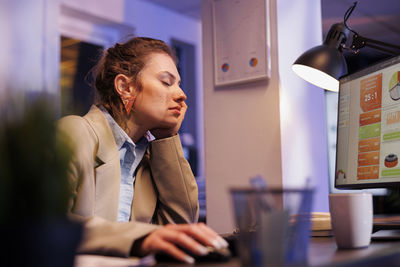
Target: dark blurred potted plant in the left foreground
[(34, 190)]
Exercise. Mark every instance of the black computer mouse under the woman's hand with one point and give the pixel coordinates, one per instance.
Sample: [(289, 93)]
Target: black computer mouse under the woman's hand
[(214, 255)]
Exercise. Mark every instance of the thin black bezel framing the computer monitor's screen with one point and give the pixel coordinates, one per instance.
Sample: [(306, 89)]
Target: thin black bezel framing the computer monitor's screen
[(365, 71)]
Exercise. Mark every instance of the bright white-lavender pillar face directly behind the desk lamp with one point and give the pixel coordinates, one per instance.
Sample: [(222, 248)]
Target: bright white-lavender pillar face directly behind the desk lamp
[(302, 105)]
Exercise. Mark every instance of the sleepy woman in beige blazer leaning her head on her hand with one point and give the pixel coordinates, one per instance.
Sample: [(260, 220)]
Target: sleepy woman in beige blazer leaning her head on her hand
[(129, 175)]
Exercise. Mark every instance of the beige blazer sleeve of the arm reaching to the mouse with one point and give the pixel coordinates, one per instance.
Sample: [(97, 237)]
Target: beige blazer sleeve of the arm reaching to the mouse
[(100, 236)]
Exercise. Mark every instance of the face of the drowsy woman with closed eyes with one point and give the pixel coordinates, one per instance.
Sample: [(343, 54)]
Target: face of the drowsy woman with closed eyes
[(159, 102)]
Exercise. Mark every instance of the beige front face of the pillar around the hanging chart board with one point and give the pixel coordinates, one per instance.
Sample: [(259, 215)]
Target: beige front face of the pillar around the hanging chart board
[(242, 132)]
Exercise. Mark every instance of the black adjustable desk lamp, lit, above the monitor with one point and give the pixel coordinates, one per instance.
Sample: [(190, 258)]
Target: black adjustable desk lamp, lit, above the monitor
[(323, 65)]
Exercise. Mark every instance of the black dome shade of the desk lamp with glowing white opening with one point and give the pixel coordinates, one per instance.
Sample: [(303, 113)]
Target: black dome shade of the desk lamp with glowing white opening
[(322, 66)]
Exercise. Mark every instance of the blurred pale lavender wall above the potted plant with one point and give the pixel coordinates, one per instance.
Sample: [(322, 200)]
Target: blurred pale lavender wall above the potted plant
[(29, 43)]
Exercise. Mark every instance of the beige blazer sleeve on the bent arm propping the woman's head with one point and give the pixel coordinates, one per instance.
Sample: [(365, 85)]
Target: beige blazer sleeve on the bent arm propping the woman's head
[(174, 181)]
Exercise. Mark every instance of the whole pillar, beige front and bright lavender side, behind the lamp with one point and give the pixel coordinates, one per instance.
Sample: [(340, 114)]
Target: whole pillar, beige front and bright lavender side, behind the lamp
[(275, 129)]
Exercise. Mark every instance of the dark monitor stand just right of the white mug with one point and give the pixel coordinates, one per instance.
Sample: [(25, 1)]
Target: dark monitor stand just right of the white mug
[(386, 227)]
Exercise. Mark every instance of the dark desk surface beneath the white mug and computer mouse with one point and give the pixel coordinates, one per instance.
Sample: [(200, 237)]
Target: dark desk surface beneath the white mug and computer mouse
[(323, 252)]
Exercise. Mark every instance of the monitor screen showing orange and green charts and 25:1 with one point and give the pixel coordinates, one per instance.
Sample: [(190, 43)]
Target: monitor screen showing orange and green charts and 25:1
[(368, 129)]
